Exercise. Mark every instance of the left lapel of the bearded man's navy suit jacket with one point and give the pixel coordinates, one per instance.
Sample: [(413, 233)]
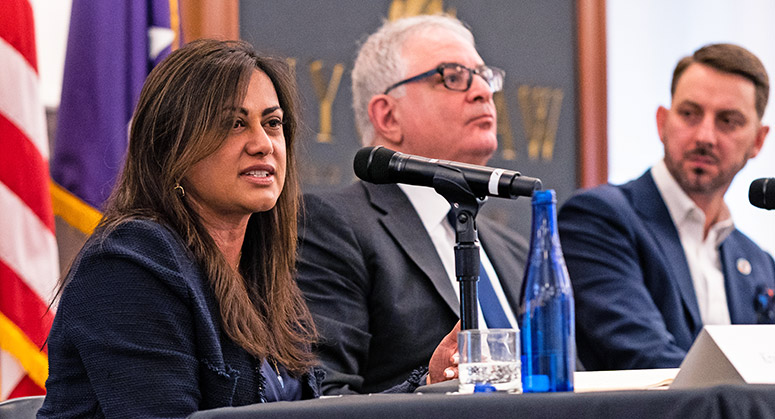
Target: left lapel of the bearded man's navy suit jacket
[(655, 214)]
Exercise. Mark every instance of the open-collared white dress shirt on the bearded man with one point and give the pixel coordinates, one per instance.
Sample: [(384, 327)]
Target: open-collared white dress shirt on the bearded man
[(702, 253)]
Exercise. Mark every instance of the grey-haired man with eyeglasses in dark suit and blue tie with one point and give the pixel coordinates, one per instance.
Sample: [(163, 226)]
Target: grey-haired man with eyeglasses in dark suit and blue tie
[(376, 262)]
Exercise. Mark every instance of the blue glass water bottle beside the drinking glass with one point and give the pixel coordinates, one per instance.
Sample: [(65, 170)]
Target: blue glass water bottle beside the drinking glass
[(546, 316)]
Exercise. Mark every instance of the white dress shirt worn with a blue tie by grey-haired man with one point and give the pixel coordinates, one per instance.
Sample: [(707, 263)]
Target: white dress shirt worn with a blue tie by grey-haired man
[(432, 209)]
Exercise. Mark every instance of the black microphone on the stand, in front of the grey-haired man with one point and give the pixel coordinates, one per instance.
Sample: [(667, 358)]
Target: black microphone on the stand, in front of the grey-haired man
[(381, 165)]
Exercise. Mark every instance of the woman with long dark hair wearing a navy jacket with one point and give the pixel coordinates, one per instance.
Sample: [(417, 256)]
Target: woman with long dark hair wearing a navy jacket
[(184, 297)]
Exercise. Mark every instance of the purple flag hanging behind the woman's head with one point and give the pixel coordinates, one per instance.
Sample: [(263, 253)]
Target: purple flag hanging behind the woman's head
[(111, 48)]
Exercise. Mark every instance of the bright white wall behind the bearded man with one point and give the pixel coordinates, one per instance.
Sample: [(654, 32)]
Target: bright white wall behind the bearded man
[(646, 38)]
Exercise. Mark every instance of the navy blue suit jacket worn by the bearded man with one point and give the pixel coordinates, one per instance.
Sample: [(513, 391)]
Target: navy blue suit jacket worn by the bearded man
[(635, 300)]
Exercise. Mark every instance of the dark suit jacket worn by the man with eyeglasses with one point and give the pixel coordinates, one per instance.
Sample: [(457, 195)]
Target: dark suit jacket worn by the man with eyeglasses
[(377, 288)]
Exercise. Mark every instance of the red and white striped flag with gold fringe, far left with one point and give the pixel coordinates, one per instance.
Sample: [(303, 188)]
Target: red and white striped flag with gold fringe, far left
[(29, 264)]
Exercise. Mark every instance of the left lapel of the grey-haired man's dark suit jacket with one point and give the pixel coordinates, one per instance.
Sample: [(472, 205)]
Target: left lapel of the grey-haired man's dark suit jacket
[(402, 223)]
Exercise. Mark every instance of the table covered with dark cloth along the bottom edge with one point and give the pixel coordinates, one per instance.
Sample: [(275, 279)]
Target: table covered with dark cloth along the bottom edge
[(728, 401)]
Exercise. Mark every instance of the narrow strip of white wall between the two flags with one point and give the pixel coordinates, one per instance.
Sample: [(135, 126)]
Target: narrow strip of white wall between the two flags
[(52, 20)]
